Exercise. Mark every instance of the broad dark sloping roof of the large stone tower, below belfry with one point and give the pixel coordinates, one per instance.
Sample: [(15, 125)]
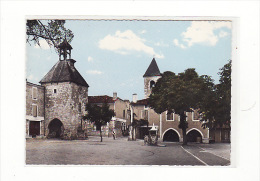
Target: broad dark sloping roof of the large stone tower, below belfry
[(64, 71)]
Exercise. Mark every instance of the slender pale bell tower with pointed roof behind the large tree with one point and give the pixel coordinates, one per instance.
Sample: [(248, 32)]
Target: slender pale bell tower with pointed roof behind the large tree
[(151, 76)]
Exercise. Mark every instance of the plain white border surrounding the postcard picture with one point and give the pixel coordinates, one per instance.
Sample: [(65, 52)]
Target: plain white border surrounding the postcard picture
[(246, 98)]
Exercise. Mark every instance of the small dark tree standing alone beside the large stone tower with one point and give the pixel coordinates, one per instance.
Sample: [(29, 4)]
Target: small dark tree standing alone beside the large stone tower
[(99, 115)]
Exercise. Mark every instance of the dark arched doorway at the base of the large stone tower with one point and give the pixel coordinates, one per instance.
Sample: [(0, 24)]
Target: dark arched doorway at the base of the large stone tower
[(56, 129)]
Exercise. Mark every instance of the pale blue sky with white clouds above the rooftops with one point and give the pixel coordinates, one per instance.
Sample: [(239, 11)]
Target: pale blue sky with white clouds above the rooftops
[(112, 55)]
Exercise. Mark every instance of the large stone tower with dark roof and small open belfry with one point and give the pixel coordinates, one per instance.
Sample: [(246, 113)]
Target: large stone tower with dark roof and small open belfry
[(66, 93)]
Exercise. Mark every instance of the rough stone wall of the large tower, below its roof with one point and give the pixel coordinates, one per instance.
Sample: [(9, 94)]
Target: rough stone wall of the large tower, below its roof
[(66, 102)]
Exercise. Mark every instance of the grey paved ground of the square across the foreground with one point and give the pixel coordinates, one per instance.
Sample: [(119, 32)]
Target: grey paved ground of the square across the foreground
[(122, 152)]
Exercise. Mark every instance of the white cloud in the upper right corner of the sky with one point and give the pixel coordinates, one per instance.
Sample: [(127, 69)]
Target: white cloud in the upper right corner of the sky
[(202, 32)]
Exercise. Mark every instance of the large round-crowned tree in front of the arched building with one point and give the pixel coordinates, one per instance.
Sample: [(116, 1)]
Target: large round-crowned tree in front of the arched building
[(178, 93)]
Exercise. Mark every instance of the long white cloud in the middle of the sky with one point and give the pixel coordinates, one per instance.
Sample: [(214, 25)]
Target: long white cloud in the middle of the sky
[(125, 43)]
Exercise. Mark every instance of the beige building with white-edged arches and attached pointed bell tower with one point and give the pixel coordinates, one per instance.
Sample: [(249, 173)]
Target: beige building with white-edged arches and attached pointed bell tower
[(166, 123)]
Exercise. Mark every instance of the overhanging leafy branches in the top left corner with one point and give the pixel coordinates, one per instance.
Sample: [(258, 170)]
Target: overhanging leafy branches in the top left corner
[(52, 31)]
